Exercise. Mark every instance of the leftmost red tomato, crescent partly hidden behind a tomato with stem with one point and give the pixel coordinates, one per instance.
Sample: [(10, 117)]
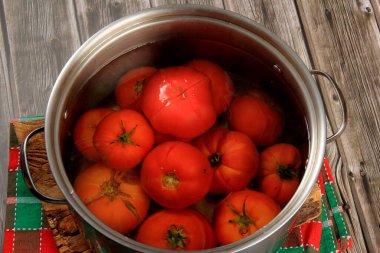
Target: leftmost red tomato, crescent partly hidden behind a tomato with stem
[(84, 131)]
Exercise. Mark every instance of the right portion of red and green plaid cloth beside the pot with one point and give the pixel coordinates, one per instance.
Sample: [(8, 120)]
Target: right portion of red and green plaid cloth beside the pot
[(326, 233)]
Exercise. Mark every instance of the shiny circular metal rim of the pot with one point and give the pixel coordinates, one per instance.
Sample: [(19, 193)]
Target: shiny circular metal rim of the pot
[(317, 134)]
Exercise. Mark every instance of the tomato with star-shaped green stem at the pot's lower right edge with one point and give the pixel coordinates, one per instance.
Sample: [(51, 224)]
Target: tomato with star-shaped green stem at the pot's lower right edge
[(241, 214)]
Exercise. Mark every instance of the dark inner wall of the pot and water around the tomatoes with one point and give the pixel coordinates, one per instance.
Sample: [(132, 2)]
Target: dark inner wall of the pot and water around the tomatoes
[(177, 43)]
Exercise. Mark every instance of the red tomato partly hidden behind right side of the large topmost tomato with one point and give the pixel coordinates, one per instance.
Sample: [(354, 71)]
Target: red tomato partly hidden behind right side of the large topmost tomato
[(220, 83)]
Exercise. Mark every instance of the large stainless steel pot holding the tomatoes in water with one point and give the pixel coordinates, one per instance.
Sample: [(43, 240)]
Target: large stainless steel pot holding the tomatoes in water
[(166, 36)]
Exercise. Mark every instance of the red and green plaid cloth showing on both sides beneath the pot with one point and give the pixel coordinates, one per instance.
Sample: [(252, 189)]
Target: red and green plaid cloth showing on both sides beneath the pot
[(27, 230)]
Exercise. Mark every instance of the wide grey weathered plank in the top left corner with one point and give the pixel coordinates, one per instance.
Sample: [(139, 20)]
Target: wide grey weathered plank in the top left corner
[(41, 38)]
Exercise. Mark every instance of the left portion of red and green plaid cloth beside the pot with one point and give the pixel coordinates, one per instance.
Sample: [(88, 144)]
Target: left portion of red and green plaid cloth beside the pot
[(26, 229)]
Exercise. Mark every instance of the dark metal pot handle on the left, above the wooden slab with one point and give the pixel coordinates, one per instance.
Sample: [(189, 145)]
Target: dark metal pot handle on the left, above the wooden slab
[(28, 176)]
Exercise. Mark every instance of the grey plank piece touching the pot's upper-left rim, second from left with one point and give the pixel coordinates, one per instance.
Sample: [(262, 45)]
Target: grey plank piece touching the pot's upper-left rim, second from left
[(94, 15)]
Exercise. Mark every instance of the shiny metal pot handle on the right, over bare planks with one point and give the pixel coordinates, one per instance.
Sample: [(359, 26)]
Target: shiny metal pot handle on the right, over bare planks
[(342, 103)]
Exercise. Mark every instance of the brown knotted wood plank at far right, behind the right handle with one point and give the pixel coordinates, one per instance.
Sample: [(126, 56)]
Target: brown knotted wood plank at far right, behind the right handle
[(344, 41)]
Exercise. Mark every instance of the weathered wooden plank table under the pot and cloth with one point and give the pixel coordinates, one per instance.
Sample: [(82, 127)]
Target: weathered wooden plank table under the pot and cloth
[(340, 37)]
